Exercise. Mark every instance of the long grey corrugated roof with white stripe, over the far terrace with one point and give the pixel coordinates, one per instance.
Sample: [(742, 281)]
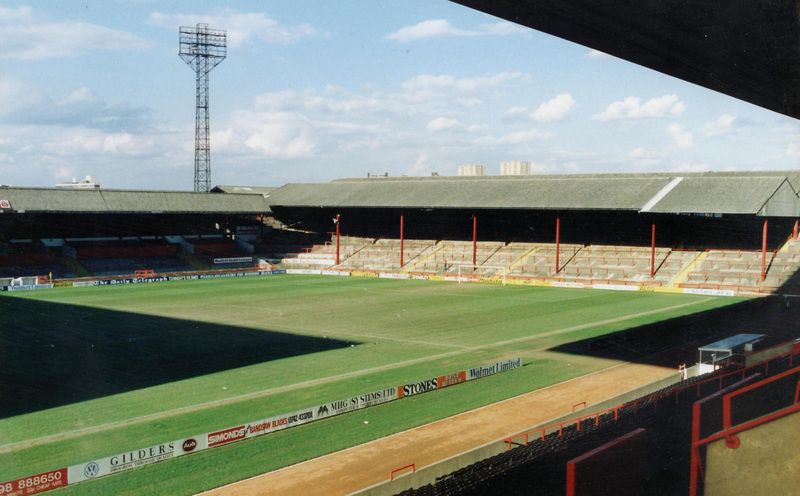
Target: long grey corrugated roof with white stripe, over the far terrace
[(754, 193)]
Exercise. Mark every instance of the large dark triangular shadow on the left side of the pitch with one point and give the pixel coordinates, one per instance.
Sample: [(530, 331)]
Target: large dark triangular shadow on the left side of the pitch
[(56, 354)]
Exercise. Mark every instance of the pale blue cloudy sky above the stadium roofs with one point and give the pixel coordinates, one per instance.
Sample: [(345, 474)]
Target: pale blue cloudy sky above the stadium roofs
[(318, 90)]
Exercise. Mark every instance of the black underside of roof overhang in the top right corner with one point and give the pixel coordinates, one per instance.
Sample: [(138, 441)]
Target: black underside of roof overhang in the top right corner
[(748, 49)]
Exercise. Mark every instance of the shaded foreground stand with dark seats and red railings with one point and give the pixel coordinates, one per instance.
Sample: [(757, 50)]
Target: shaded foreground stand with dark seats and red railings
[(674, 426)]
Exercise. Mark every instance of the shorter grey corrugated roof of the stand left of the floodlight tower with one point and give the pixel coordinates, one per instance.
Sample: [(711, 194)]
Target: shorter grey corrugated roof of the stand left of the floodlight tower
[(129, 201)]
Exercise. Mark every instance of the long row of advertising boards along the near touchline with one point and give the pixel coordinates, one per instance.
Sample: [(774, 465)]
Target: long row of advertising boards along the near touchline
[(128, 460)]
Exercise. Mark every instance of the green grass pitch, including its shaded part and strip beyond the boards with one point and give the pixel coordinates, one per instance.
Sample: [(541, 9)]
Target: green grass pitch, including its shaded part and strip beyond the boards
[(89, 372)]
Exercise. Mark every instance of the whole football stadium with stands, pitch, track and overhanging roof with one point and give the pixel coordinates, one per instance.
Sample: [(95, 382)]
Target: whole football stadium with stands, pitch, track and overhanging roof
[(610, 333)]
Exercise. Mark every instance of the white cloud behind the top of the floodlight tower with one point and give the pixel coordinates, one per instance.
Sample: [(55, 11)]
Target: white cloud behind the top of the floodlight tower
[(242, 28)]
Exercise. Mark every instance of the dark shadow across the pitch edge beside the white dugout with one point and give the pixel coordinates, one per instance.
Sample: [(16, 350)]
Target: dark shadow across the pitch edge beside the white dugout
[(675, 341)]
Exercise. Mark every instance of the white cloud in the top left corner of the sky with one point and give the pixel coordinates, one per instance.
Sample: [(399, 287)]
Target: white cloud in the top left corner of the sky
[(24, 36)]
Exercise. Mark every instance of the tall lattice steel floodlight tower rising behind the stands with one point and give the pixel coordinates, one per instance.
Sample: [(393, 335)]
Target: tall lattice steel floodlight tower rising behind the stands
[(203, 49)]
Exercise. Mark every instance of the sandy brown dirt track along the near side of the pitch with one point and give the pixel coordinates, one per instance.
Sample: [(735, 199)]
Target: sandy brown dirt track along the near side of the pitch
[(361, 466)]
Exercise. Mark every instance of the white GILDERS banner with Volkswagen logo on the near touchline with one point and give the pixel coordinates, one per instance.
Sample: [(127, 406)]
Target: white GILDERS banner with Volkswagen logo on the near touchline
[(122, 461)]
